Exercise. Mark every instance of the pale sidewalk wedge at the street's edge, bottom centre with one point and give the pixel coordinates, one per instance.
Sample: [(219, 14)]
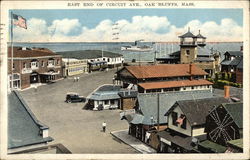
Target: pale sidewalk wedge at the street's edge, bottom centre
[(133, 142)]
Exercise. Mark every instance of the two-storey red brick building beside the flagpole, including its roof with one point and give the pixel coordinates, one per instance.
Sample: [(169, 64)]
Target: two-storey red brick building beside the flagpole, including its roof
[(33, 65)]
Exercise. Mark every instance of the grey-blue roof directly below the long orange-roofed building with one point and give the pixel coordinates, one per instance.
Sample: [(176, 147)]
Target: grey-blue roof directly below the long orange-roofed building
[(148, 103)]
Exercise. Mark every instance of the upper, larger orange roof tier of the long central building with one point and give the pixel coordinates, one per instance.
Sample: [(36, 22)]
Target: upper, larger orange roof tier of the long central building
[(164, 70)]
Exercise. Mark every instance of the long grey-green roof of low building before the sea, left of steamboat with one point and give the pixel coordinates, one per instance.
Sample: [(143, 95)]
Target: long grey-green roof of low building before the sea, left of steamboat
[(88, 54)]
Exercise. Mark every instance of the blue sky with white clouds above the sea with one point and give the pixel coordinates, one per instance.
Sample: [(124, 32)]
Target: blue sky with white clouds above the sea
[(102, 25)]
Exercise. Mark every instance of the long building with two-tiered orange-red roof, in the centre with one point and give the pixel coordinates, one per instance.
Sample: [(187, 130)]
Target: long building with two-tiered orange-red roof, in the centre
[(163, 78)]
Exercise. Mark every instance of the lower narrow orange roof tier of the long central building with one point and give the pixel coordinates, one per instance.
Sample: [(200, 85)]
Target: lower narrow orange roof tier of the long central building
[(172, 84)]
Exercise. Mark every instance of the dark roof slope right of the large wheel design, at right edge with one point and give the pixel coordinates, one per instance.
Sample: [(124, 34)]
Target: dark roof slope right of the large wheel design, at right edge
[(236, 112)]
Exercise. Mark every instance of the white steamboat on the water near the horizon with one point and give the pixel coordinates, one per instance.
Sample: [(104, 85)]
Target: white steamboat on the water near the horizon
[(138, 48)]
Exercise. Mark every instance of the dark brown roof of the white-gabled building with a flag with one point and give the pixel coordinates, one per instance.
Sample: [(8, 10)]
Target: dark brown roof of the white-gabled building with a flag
[(197, 110)]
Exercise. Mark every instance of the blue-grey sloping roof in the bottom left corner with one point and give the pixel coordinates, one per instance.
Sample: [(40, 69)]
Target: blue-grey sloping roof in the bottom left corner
[(23, 127)]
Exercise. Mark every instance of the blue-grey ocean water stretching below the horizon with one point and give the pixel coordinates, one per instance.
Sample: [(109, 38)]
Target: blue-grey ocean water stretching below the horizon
[(163, 49)]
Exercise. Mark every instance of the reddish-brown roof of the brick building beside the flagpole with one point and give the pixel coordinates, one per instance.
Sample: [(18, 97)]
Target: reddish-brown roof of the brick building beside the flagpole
[(34, 52)]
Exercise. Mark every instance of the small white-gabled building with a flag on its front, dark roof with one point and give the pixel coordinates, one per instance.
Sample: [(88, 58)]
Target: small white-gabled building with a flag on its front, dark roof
[(186, 122)]
